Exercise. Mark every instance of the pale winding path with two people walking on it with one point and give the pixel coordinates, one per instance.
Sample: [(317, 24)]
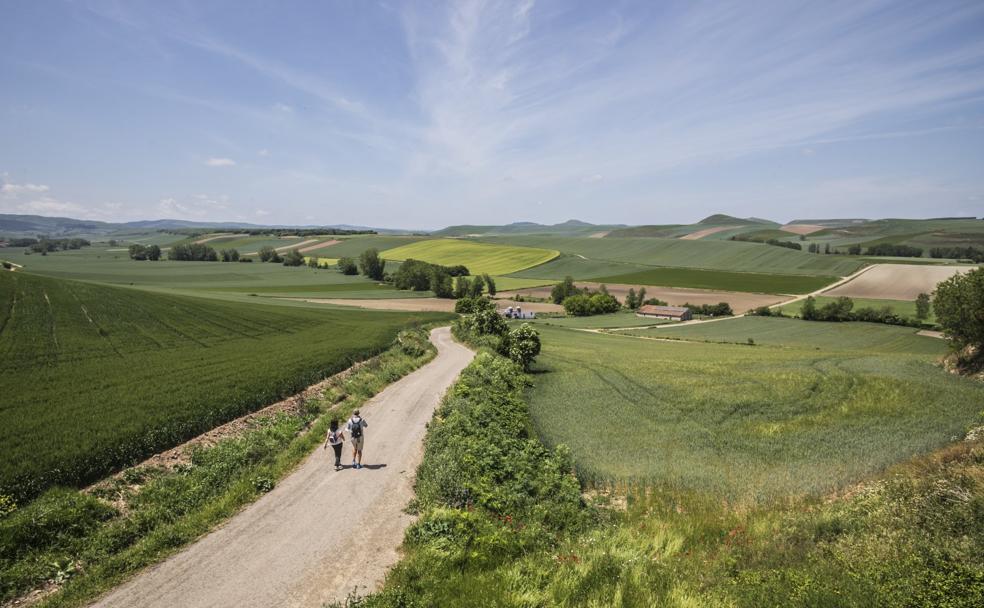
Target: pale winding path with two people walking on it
[(319, 534)]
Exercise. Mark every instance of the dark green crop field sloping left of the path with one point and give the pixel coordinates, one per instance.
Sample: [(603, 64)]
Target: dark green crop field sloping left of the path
[(95, 377)]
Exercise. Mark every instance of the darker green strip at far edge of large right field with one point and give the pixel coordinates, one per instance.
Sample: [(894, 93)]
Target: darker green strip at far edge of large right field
[(794, 333)]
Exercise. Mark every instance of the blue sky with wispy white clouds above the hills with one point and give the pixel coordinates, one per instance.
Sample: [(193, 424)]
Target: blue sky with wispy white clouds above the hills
[(427, 114)]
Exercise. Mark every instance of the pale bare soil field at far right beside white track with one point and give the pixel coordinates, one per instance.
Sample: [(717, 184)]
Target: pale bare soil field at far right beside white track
[(896, 281)]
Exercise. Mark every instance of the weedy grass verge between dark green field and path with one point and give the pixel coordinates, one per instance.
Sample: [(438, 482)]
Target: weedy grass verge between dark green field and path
[(83, 544)]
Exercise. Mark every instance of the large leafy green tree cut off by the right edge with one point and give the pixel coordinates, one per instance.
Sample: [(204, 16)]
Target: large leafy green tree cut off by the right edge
[(959, 306)]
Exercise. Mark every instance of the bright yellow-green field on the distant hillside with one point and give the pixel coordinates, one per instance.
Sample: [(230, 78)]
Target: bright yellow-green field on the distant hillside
[(480, 258)]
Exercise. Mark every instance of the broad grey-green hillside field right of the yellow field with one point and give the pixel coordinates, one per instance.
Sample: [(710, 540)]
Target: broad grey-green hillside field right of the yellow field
[(702, 254)]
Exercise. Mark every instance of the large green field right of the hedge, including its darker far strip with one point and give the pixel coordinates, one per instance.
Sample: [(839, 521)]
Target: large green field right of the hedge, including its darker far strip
[(748, 422)]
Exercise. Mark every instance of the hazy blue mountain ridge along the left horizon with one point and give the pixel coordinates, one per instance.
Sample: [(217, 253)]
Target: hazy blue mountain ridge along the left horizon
[(31, 225)]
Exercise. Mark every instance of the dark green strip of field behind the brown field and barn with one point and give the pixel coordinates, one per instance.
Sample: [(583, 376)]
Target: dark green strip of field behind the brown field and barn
[(722, 280)]
